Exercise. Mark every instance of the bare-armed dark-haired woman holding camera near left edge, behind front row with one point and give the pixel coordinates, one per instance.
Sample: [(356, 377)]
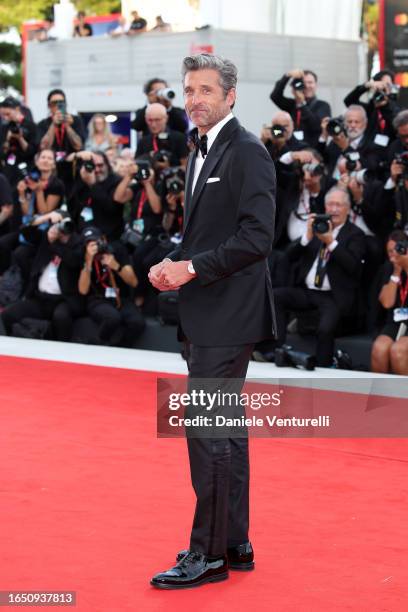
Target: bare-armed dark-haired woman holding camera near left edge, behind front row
[(39, 192)]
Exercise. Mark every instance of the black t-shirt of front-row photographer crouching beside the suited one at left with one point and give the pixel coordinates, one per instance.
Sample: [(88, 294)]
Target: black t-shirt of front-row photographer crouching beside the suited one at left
[(101, 277)]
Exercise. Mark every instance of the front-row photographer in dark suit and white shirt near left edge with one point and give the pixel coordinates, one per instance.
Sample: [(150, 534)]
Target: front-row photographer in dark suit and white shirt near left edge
[(52, 293)]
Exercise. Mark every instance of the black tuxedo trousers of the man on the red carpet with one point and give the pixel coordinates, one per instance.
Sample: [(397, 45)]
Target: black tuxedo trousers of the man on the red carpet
[(219, 466)]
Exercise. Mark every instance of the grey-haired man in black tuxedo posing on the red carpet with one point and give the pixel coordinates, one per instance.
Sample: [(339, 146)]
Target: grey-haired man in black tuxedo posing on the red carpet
[(225, 306)]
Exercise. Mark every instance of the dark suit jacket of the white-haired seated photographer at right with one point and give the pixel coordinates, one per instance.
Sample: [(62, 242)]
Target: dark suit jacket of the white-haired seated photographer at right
[(344, 267)]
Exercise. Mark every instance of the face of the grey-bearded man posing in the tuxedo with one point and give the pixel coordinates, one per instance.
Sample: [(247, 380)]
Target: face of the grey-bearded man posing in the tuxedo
[(204, 98)]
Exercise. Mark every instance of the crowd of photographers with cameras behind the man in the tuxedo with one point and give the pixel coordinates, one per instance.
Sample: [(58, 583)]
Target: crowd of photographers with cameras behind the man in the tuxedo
[(81, 221)]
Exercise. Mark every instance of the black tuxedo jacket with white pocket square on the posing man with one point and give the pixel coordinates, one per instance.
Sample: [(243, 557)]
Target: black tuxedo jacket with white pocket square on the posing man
[(228, 235)]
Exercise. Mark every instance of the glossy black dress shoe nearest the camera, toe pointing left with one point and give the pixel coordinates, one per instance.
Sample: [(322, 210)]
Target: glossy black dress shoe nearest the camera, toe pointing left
[(193, 569)]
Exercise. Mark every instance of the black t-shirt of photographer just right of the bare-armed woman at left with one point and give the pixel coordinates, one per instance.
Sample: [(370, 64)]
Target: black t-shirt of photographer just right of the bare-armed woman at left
[(95, 206)]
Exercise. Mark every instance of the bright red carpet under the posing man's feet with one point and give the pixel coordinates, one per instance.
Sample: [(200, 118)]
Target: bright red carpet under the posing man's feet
[(92, 501)]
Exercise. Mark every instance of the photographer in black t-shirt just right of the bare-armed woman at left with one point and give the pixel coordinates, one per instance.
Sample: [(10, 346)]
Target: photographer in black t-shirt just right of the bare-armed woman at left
[(98, 194)]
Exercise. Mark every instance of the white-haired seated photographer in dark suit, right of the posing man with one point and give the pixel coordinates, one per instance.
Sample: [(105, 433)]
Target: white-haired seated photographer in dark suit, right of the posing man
[(329, 259)]
